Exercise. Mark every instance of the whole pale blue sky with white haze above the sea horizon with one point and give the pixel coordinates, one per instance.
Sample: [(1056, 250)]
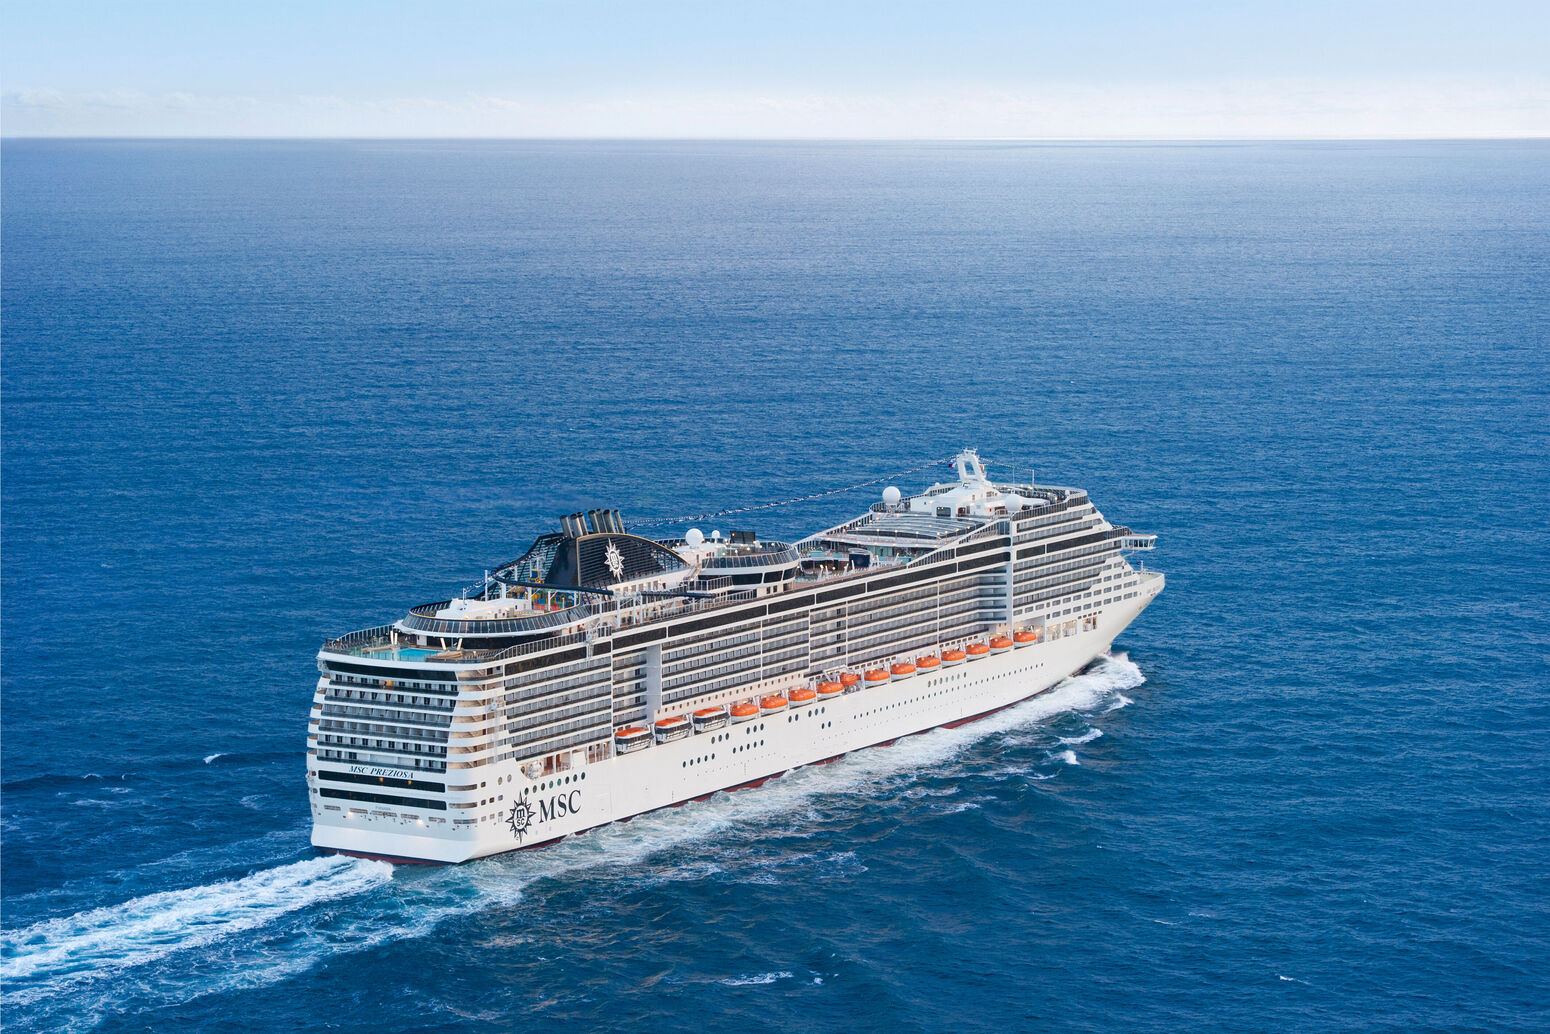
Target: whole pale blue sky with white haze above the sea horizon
[(901, 71)]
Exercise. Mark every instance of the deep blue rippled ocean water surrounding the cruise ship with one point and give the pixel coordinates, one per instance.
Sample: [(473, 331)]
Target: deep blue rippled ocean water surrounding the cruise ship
[(257, 395)]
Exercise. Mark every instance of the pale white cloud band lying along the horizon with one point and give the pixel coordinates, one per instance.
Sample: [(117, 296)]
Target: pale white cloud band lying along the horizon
[(1230, 111)]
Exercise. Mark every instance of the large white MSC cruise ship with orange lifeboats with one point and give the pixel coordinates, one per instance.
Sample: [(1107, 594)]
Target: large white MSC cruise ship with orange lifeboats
[(604, 675)]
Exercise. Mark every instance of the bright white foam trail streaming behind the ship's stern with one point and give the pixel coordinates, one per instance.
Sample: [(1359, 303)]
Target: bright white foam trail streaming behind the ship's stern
[(50, 956)]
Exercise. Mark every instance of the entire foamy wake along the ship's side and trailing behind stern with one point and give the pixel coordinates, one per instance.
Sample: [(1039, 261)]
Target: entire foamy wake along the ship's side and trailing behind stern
[(69, 973)]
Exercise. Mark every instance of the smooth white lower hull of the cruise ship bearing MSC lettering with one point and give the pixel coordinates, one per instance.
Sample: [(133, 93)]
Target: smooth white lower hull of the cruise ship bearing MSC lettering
[(515, 812)]
